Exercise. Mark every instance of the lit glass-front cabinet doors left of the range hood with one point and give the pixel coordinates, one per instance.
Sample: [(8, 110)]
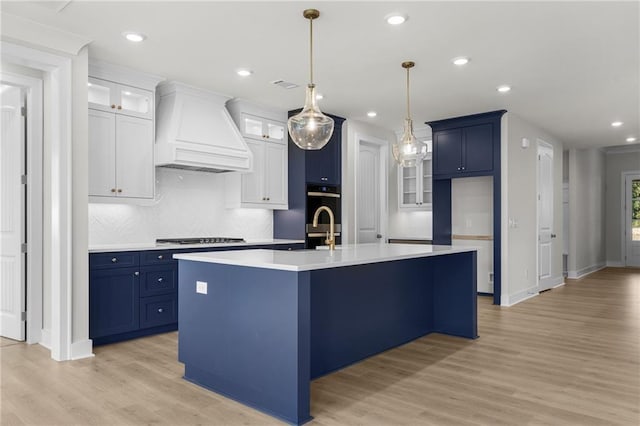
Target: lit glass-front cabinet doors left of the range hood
[(119, 98)]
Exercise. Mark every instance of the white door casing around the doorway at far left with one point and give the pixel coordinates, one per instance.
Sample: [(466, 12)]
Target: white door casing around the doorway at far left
[(58, 75)]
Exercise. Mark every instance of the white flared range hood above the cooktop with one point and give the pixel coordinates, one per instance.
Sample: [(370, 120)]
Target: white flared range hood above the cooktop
[(195, 131)]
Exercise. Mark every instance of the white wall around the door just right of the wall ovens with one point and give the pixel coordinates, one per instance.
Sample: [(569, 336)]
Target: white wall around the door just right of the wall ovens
[(352, 132)]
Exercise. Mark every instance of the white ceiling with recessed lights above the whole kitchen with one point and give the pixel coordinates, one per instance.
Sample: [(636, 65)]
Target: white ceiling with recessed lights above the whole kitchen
[(574, 66)]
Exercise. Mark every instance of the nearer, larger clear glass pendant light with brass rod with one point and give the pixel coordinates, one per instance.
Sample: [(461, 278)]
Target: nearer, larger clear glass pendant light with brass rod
[(310, 129)]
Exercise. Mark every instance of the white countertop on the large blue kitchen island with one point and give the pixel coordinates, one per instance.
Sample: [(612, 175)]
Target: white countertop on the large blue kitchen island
[(307, 260)]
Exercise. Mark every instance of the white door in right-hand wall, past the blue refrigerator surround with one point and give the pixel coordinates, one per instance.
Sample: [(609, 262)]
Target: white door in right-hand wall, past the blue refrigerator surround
[(545, 216)]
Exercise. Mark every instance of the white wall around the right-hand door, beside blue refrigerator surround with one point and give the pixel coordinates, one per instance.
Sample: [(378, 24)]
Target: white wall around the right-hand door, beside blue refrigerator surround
[(519, 199)]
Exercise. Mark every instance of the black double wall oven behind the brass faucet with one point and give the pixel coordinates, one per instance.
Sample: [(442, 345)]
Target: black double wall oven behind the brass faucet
[(318, 196)]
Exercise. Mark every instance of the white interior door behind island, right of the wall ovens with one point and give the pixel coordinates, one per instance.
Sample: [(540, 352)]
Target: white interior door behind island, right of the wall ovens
[(368, 189)]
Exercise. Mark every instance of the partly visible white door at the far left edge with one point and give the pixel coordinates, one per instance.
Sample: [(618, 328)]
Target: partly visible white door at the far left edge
[(12, 208)]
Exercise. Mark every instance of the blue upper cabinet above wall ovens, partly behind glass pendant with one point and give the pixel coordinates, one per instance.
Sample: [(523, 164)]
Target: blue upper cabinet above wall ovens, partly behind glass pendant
[(324, 165)]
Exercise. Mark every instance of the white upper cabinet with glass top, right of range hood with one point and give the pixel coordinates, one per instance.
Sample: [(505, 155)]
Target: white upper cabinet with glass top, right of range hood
[(265, 132)]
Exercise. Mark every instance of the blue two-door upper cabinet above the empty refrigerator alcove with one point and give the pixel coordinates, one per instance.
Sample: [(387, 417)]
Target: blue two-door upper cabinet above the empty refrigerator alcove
[(463, 151)]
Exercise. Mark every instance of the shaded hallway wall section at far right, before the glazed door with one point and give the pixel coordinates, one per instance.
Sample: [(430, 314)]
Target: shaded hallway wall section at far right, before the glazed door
[(586, 212)]
